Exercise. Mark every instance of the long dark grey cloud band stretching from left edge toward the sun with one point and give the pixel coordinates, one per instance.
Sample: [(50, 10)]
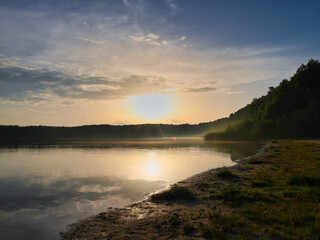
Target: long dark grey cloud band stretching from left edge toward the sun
[(34, 85)]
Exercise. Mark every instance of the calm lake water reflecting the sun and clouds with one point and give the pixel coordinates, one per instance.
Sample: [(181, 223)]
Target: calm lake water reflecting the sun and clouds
[(43, 189)]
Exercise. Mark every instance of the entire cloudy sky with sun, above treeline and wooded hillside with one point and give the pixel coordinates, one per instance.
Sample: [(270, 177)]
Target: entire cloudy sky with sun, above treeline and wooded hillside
[(73, 62)]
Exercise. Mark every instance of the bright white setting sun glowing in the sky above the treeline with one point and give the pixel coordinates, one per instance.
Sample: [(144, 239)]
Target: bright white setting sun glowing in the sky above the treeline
[(152, 106)]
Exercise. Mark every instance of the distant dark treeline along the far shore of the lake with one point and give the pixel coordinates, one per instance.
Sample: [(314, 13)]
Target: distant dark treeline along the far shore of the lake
[(59, 135)]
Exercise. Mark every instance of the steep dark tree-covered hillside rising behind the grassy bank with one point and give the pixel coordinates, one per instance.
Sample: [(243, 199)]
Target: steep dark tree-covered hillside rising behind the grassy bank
[(291, 110)]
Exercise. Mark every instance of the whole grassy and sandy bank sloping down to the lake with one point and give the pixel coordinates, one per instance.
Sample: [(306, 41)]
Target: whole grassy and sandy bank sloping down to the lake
[(271, 196)]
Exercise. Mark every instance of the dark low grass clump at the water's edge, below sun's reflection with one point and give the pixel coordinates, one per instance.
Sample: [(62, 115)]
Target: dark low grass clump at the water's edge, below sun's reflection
[(173, 194)]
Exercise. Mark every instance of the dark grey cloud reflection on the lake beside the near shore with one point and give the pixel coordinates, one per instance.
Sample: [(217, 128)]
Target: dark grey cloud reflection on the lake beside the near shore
[(29, 204)]
